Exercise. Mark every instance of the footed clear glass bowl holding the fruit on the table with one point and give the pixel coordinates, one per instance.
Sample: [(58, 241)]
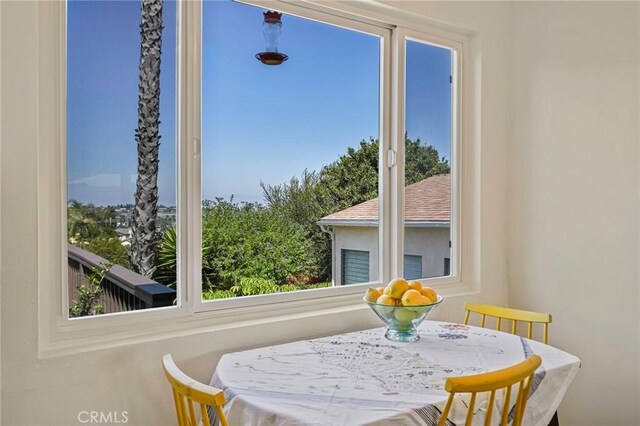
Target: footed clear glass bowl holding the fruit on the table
[(402, 321)]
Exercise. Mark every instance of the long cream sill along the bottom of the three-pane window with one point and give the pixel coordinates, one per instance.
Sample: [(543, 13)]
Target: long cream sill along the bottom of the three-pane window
[(159, 324)]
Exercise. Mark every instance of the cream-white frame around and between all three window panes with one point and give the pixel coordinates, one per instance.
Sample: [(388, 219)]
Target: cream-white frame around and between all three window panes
[(60, 335)]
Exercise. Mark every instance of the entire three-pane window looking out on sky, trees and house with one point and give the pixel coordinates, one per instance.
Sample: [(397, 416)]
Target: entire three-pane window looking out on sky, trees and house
[(275, 183)]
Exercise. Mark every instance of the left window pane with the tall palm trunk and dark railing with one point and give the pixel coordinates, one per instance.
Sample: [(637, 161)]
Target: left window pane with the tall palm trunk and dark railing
[(121, 158)]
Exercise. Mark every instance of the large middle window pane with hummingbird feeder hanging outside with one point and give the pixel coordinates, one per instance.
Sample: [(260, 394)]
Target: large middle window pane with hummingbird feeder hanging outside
[(285, 149)]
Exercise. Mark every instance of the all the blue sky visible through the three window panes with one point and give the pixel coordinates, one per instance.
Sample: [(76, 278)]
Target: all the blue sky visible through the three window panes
[(259, 123)]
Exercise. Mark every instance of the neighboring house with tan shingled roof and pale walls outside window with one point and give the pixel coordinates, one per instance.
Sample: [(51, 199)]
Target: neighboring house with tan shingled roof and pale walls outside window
[(355, 242)]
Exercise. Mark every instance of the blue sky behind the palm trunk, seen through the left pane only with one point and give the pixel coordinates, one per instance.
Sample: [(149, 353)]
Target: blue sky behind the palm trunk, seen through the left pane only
[(103, 49)]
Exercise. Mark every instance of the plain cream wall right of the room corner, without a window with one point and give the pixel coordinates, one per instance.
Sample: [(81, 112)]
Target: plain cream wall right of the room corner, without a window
[(573, 192)]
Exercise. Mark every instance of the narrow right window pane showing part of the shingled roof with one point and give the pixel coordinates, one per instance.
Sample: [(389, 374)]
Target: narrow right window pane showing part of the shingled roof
[(428, 148)]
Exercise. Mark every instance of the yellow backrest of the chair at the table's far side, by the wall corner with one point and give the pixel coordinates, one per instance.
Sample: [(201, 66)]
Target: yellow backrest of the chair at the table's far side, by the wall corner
[(513, 315)]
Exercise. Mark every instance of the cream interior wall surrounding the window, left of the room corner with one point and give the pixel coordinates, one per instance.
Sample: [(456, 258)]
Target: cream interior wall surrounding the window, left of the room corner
[(128, 378)]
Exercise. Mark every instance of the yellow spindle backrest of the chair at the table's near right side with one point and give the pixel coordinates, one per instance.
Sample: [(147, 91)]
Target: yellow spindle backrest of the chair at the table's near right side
[(521, 373)]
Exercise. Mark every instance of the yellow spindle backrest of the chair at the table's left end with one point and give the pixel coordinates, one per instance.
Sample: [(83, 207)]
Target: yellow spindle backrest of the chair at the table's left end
[(187, 392)]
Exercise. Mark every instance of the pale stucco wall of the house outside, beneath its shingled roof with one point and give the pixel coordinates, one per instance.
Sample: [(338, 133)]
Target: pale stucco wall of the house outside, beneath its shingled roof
[(430, 243)]
